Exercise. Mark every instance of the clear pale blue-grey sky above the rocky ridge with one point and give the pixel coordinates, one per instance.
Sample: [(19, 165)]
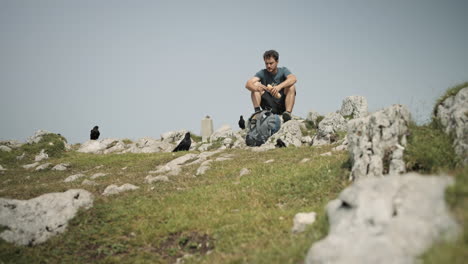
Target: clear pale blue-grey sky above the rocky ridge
[(142, 68)]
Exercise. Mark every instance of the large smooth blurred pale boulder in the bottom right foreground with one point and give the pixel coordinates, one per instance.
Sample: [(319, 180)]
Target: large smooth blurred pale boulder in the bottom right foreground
[(386, 220)]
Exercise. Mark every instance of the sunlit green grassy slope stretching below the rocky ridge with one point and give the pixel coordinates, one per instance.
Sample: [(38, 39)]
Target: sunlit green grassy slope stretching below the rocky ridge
[(245, 219)]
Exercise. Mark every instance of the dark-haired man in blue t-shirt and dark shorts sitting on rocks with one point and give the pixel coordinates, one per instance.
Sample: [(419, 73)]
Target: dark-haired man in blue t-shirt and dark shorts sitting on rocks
[(273, 87)]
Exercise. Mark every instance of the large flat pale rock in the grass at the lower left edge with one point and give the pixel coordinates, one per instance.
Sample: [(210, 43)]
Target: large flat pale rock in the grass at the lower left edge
[(33, 221)]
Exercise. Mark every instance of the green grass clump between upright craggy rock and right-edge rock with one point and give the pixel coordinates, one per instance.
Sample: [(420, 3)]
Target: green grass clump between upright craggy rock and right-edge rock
[(429, 150)]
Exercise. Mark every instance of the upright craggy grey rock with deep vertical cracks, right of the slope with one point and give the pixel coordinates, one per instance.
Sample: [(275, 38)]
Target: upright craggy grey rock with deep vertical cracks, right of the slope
[(376, 142)]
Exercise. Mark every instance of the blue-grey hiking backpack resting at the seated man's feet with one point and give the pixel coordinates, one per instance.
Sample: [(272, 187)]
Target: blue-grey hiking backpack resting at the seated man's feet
[(261, 126)]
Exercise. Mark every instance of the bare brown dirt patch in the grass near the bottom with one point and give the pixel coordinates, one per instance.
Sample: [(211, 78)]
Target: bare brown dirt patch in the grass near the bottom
[(180, 244)]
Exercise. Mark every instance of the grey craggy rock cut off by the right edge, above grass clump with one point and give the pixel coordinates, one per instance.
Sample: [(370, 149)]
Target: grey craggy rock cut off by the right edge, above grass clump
[(453, 115)]
